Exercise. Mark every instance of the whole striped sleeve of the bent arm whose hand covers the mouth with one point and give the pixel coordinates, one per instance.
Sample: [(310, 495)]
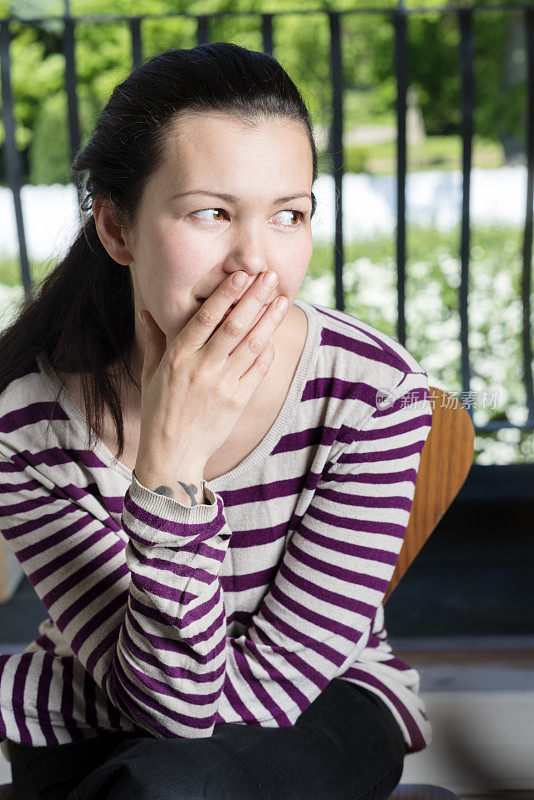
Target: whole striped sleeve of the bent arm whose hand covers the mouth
[(145, 618)]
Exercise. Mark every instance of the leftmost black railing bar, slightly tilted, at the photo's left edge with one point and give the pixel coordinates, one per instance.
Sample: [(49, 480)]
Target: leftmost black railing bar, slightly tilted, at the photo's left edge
[(12, 159)]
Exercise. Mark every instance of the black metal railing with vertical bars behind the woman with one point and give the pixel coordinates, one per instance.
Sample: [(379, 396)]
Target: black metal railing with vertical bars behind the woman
[(398, 17)]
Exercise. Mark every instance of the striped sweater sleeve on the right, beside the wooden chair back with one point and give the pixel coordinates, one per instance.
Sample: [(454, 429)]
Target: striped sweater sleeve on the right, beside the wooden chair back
[(317, 615)]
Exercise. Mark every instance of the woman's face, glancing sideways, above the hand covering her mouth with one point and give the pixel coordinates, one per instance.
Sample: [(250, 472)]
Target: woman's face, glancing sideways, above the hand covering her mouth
[(188, 238)]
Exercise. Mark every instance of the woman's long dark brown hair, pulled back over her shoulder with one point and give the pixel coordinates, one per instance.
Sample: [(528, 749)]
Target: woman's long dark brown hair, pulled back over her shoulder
[(82, 317)]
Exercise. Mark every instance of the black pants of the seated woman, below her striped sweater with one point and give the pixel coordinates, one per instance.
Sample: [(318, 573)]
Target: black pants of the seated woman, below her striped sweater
[(346, 746)]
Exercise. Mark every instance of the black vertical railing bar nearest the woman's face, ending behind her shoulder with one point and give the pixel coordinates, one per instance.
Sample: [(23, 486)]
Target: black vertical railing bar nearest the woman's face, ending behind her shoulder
[(336, 139)]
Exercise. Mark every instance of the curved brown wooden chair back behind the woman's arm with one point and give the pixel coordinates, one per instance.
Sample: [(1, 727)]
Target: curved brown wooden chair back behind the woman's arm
[(446, 459)]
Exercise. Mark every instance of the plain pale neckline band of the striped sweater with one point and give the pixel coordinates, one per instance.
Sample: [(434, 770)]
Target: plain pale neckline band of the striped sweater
[(260, 451)]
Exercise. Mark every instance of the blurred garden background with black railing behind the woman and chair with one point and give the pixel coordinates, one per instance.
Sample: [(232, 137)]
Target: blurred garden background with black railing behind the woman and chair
[(424, 120)]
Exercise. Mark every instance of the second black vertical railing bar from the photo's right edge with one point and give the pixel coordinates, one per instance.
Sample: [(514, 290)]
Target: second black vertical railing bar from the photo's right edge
[(466, 67)]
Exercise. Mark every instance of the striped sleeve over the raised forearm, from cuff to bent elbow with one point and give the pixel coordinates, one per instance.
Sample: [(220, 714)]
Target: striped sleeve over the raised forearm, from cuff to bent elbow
[(167, 673)]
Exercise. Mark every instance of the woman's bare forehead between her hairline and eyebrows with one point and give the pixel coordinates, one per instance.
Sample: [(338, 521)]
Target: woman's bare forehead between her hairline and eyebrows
[(219, 149)]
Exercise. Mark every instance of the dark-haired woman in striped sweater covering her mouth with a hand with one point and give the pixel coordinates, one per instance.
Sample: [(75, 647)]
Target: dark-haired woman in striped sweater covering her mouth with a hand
[(208, 490)]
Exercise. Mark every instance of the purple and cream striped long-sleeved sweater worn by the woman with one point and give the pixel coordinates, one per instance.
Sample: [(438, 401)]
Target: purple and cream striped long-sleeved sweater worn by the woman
[(169, 619)]
